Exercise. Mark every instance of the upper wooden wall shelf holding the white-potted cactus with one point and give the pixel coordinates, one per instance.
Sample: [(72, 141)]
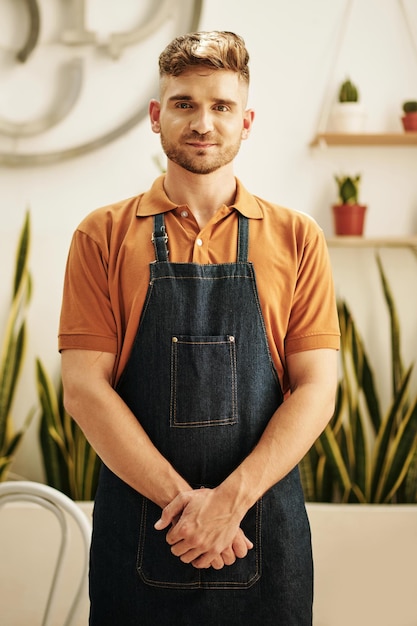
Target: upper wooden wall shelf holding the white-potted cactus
[(365, 139)]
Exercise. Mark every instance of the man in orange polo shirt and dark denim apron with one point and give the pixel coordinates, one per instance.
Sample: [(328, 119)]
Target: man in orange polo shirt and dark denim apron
[(176, 360)]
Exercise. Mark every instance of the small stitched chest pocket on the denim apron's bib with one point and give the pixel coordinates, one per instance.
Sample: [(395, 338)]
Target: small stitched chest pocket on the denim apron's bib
[(203, 381)]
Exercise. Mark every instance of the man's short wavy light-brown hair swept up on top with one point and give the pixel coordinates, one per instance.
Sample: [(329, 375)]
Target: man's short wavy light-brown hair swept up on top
[(220, 50)]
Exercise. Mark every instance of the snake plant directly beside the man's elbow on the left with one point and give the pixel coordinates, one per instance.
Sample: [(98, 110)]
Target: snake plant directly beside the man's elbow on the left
[(71, 465)]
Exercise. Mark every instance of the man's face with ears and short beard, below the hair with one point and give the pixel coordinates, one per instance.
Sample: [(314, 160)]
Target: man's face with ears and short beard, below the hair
[(201, 118)]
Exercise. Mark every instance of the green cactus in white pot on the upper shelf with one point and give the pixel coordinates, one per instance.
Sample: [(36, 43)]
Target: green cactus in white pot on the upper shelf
[(348, 114)]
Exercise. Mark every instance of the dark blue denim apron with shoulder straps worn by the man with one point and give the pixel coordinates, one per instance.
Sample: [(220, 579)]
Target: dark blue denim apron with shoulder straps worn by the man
[(201, 381)]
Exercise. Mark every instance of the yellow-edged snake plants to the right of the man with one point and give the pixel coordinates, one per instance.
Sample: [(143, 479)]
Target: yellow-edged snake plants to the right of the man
[(364, 456)]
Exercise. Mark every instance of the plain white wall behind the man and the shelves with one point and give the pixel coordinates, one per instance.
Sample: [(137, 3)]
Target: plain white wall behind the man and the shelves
[(292, 47)]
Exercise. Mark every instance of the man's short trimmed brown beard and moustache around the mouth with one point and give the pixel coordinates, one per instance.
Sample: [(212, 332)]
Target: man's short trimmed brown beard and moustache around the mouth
[(200, 162)]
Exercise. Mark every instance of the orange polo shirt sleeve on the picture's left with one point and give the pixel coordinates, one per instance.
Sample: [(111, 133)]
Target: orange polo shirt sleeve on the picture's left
[(87, 321)]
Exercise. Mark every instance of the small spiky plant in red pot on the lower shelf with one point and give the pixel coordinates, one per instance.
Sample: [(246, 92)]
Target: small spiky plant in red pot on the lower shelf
[(348, 213)]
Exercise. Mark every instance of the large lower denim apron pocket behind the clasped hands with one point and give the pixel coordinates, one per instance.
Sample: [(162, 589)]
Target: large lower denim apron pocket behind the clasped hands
[(158, 567)]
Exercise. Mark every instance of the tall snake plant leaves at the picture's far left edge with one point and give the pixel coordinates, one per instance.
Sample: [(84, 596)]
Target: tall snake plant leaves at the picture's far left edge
[(12, 352)]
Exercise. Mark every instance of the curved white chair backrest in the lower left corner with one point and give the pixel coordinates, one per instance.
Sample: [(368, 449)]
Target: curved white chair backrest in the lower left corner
[(64, 509)]
